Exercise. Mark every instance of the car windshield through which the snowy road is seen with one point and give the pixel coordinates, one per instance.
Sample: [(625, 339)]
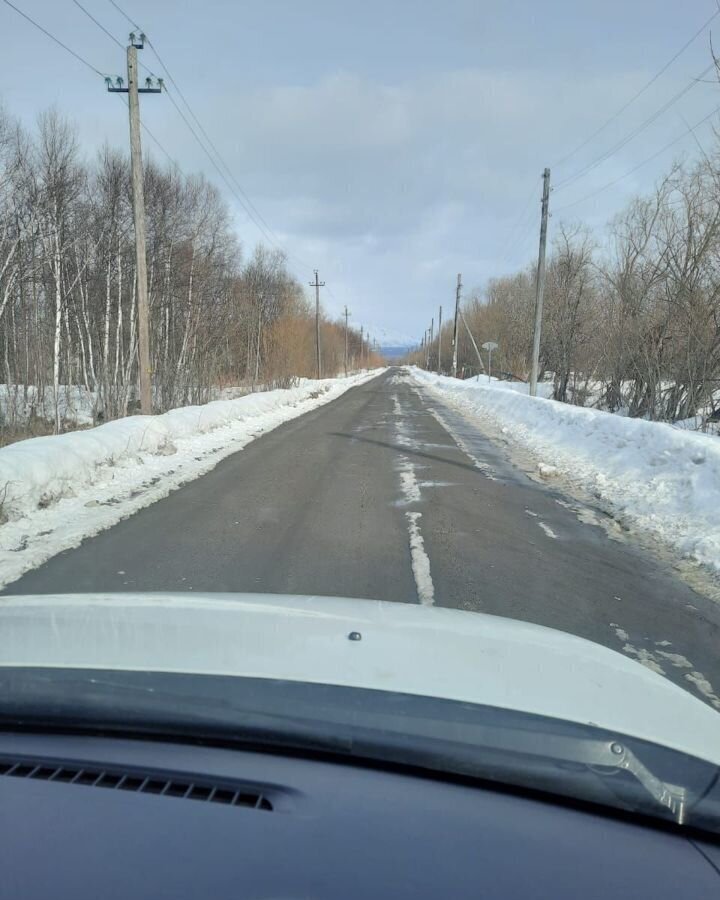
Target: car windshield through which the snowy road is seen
[(362, 361)]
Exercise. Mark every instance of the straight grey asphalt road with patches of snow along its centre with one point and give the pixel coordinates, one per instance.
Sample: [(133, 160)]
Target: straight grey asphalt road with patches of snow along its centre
[(387, 493)]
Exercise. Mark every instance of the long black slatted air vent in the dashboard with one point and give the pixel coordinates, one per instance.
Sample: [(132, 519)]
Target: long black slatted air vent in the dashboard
[(139, 782)]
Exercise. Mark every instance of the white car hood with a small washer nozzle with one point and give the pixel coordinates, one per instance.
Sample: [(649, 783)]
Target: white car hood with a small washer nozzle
[(404, 648)]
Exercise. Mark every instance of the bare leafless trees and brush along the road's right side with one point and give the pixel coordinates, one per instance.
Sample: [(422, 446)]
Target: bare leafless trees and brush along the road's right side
[(631, 317)]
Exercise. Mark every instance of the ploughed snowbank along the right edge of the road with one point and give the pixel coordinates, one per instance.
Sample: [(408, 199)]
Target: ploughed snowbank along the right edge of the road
[(655, 477)]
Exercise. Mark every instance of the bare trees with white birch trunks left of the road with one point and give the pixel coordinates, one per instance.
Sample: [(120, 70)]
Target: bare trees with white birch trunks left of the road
[(68, 306)]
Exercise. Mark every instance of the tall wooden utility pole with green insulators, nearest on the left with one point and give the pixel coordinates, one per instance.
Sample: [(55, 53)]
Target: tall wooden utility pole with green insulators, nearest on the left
[(133, 91)]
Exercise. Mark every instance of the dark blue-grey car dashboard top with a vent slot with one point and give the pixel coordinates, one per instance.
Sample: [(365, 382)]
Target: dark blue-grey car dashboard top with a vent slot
[(89, 816)]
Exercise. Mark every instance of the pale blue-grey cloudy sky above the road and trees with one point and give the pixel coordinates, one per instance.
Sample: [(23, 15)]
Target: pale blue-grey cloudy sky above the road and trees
[(389, 144)]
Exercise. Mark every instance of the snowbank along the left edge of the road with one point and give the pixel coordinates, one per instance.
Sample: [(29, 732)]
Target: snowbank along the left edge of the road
[(55, 491)]
